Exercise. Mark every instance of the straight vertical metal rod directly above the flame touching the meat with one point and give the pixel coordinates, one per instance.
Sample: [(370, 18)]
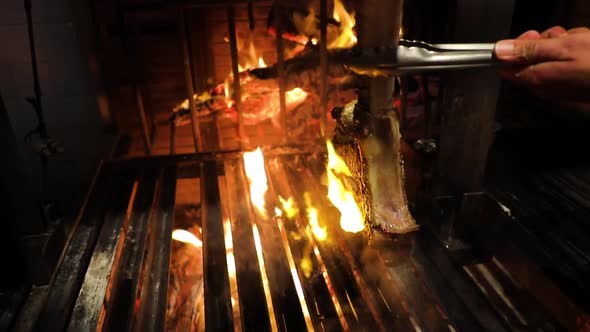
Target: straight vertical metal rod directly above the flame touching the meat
[(323, 65)]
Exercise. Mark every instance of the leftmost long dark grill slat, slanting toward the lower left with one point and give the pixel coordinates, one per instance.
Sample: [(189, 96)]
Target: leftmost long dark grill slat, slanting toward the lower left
[(111, 189)]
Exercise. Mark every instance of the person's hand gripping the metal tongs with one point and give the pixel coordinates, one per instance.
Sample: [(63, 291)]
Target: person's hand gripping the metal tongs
[(554, 64)]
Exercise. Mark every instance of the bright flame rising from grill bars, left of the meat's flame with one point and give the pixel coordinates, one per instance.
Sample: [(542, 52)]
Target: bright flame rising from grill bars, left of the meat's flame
[(254, 166)]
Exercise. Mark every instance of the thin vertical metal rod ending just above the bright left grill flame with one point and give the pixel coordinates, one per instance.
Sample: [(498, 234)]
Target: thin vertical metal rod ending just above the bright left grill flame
[(237, 93)]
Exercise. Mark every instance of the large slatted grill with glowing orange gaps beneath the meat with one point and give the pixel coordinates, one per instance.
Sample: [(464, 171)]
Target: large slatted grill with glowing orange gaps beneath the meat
[(269, 274)]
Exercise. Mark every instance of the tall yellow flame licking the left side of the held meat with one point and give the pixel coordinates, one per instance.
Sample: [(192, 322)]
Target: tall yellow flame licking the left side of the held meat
[(351, 218)]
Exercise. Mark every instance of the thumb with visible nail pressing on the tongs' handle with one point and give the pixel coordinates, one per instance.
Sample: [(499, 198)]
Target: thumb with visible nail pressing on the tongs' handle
[(530, 51)]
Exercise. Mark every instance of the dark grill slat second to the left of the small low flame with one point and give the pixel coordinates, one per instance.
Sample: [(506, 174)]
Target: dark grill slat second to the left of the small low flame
[(119, 303)]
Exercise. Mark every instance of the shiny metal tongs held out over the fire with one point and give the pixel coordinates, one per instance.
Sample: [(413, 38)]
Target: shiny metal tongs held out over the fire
[(417, 56)]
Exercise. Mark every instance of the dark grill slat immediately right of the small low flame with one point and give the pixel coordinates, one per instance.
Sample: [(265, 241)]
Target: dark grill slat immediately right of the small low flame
[(218, 310)]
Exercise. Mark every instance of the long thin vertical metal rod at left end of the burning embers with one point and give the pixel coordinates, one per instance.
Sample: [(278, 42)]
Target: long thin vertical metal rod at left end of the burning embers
[(190, 84)]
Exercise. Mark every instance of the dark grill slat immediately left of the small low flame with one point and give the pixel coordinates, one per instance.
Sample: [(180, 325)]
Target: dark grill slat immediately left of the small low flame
[(154, 286)]
